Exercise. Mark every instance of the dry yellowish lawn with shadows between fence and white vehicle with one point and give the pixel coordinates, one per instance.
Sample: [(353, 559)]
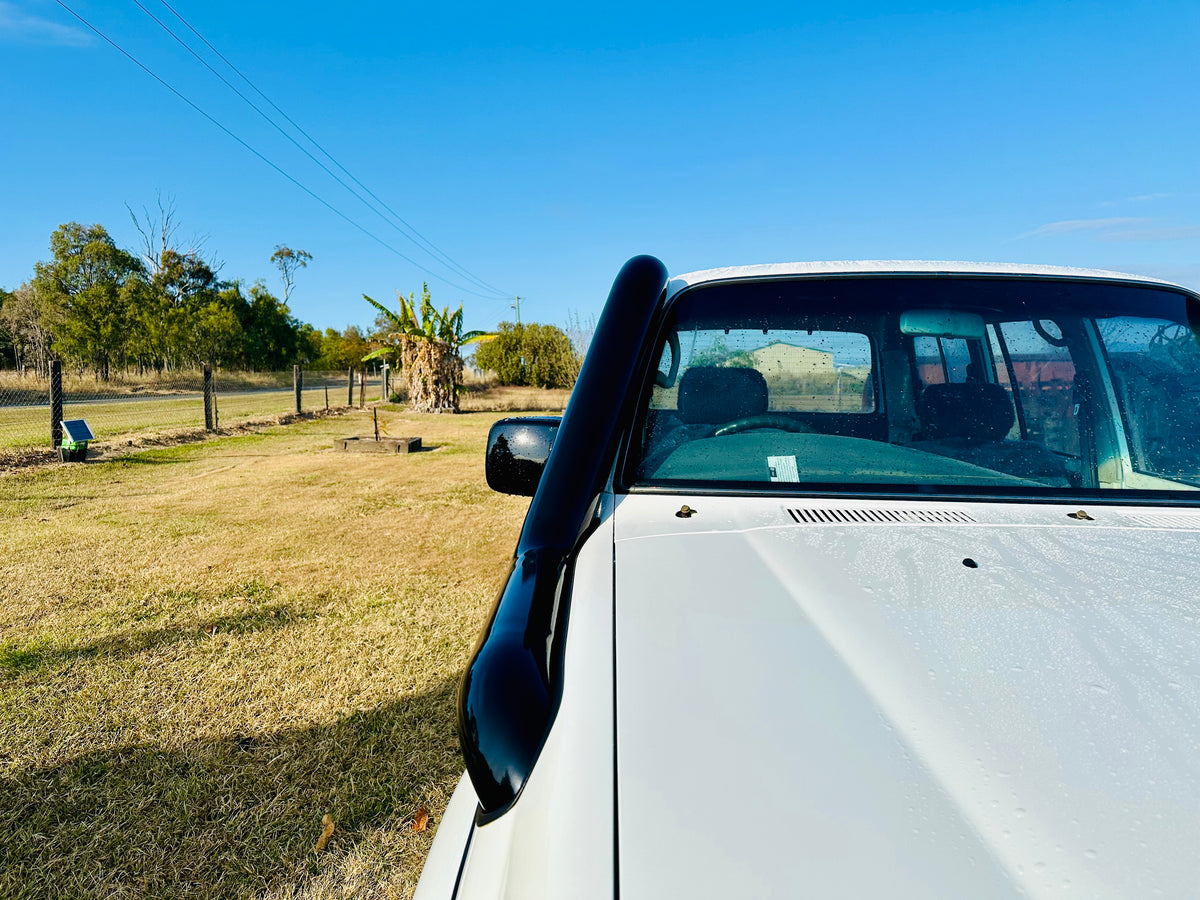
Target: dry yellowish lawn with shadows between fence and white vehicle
[(205, 650)]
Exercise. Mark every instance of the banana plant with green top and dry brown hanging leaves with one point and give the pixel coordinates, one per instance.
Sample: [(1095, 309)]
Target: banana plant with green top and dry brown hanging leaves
[(428, 344)]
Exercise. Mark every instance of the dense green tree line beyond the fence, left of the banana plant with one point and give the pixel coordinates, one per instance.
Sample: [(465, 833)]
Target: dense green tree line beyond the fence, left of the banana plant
[(104, 309)]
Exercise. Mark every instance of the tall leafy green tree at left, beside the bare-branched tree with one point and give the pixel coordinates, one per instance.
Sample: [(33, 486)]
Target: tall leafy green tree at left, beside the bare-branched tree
[(86, 280)]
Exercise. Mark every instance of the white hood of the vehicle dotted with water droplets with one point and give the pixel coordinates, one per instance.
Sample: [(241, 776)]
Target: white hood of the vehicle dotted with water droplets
[(847, 710)]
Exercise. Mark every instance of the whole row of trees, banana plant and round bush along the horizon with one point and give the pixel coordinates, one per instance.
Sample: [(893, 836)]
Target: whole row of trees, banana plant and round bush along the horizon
[(105, 310)]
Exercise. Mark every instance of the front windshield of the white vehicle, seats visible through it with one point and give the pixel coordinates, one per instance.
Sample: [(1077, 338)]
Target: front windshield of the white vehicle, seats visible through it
[(935, 385)]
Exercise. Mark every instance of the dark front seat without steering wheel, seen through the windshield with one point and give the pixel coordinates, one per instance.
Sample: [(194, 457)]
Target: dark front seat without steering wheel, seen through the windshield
[(969, 423)]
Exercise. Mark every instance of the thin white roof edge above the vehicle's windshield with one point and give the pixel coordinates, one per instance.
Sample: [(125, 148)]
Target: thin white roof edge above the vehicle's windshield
[(899, 267)]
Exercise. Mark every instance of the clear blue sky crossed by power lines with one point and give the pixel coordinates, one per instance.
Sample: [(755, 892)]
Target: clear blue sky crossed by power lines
[(541, 147)]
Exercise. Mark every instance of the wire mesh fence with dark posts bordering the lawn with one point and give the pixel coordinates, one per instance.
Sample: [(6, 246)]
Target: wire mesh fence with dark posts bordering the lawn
[(139, 405)]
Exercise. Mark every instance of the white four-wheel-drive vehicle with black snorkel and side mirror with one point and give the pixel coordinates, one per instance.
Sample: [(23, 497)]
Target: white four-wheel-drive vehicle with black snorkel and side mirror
[(849, 580)]
